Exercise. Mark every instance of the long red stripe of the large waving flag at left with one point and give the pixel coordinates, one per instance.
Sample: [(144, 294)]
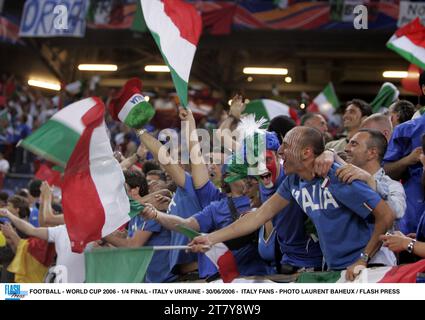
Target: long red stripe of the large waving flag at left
[(83, 211)]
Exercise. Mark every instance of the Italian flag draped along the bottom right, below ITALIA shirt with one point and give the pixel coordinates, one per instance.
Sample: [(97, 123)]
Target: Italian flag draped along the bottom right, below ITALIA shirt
[(399, 274)]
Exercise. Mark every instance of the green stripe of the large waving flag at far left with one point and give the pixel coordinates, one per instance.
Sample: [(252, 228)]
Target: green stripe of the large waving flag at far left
[(53, 141)]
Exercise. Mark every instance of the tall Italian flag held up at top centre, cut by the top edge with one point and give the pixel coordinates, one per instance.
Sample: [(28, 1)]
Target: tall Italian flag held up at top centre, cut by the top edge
[(176, 27)]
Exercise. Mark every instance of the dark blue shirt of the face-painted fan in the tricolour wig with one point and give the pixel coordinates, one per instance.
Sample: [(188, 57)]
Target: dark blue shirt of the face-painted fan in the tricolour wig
[(297, 247)]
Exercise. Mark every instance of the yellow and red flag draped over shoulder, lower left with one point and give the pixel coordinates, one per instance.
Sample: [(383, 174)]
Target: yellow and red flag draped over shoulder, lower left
[(32, 260)]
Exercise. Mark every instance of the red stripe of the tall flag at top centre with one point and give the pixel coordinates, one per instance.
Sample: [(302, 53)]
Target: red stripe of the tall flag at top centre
[(185, 18)]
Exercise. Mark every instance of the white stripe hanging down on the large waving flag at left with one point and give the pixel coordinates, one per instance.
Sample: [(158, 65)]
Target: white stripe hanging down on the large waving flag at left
[(109, 181)]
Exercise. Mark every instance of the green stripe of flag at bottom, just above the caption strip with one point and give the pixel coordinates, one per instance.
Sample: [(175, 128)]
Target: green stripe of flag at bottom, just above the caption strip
[(127, 265)]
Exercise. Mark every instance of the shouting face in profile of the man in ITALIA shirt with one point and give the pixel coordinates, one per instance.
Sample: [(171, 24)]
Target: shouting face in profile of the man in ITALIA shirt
[(290, 151)]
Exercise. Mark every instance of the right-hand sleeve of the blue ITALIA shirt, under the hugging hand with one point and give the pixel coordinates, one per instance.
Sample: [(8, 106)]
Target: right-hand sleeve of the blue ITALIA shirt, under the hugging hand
[(357, 196)]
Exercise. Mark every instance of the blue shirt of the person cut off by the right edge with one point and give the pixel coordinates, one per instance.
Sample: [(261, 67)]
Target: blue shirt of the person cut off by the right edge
[(406, 137)]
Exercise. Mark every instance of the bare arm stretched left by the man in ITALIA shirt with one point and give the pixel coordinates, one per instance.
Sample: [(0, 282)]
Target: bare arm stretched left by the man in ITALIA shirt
[(243, 226)]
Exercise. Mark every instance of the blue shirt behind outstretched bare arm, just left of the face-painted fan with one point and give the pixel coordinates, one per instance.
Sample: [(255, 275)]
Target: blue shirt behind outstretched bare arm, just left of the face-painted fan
[(217, 216)]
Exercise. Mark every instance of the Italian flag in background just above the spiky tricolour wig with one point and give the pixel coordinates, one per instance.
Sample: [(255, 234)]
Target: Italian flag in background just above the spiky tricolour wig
[(268, 109)]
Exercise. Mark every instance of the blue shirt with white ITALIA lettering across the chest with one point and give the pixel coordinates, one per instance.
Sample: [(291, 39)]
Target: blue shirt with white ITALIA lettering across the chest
[(339, 212)]
